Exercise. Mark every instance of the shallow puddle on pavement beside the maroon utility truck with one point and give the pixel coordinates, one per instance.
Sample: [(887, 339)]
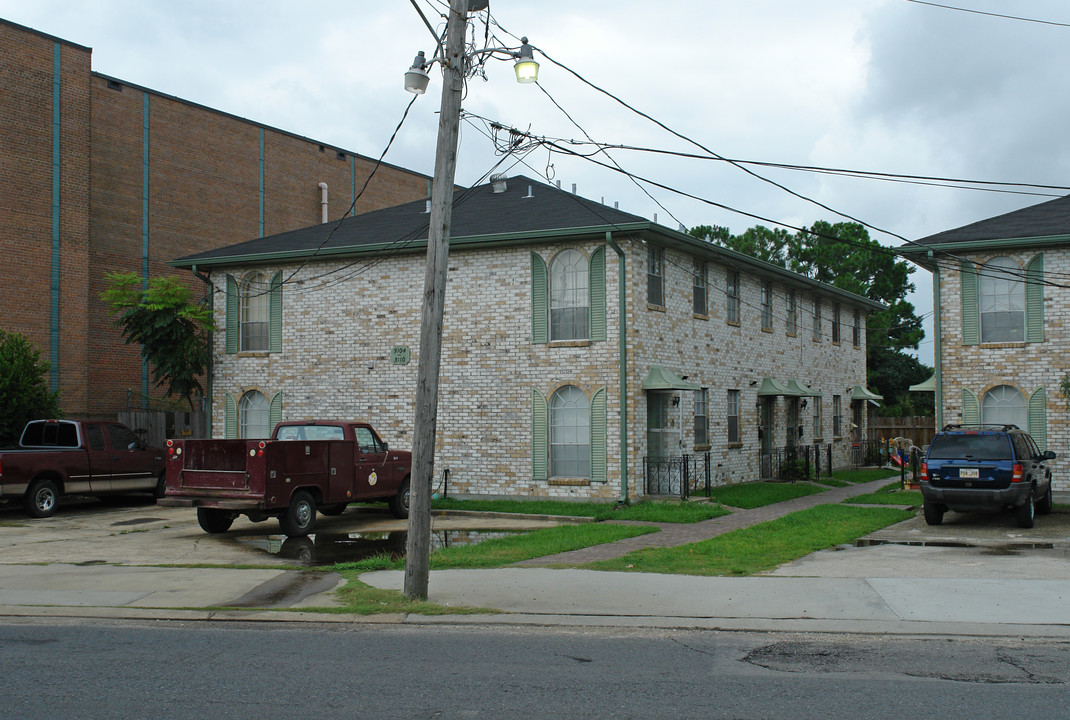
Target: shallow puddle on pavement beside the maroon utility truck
[(331, 548)]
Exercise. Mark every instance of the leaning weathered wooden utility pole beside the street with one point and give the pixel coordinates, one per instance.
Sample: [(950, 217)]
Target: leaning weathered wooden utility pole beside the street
[(419, 543)]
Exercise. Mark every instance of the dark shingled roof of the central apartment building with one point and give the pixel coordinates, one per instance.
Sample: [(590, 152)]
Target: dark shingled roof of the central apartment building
[(527, 208)]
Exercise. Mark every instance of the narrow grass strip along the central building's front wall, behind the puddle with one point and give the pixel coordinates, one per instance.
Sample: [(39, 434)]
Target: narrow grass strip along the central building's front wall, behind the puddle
[(649, 512)]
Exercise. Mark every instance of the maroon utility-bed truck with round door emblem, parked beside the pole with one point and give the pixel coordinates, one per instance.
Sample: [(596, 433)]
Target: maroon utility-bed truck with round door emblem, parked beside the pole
[(305, 467)]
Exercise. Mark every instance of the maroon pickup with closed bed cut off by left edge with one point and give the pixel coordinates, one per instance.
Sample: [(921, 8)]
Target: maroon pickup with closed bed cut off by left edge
[(57, 458)]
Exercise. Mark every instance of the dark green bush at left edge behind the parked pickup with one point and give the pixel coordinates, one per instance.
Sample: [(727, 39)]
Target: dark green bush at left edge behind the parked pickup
[(24, 394)]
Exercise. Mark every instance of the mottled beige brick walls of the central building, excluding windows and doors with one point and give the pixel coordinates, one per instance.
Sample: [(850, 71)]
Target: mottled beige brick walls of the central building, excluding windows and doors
[(340, 328)]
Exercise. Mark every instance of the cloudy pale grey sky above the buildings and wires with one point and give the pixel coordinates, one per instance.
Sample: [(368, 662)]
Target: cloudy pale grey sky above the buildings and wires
[(884, 86)]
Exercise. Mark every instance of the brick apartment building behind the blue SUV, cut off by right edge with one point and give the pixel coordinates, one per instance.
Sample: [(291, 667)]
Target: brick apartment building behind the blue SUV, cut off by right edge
[(1002, 292)]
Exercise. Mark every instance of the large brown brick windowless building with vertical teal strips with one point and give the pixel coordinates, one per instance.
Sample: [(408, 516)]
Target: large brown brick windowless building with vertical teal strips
[(98, 175)]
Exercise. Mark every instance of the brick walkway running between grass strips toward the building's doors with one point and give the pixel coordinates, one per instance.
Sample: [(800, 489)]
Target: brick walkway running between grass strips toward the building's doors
[(675, 534)]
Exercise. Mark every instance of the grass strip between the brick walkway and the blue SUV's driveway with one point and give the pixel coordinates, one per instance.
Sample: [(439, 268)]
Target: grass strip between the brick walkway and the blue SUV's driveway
[(762, 547)]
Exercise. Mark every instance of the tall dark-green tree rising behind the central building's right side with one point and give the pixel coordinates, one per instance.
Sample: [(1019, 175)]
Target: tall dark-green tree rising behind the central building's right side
[(845, 256)]
